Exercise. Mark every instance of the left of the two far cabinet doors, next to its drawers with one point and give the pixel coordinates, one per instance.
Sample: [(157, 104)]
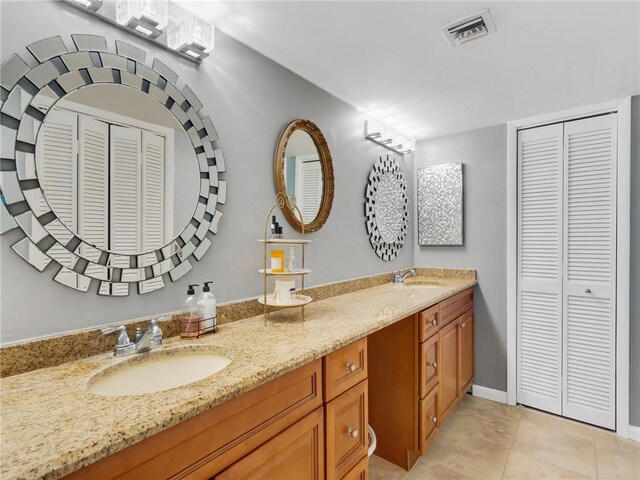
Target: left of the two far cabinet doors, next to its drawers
[(448, 385)]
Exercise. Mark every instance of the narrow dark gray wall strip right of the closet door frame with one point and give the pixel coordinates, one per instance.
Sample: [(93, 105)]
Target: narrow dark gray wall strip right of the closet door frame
[(634, 344)]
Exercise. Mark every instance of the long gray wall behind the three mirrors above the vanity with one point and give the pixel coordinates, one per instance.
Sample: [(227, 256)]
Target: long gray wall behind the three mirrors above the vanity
[(250, 99)]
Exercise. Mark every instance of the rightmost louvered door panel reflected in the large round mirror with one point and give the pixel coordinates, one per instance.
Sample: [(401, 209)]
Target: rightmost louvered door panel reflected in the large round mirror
[(153, 191)]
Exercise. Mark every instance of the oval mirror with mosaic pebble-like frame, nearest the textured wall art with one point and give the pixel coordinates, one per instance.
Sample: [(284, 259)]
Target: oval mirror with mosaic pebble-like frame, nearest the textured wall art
[(386, 208)]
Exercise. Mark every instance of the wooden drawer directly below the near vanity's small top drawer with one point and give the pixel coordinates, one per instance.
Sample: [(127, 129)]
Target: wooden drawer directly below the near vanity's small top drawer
[(347, 422)]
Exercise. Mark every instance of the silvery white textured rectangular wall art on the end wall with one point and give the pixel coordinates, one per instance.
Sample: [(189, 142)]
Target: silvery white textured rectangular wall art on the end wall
[(440, 207)]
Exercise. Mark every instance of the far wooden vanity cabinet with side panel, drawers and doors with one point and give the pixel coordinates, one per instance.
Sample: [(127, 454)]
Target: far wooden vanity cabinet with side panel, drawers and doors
[(419, 369)]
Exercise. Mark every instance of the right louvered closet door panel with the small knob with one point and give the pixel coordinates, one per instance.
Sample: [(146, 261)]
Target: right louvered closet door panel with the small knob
[(589, 268)]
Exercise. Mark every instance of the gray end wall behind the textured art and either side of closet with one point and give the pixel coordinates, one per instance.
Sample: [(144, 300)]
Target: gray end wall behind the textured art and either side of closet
[(484, 154)]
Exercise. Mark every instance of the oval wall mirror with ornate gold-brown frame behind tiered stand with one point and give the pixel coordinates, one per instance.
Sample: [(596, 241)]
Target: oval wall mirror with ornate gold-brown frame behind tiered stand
[(303, 168)]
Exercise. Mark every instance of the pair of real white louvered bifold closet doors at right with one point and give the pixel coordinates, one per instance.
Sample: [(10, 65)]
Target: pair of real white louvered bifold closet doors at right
[(567, 269)]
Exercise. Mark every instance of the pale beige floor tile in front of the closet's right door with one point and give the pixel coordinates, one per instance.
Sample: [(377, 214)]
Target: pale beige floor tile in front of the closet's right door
[(558, 448)]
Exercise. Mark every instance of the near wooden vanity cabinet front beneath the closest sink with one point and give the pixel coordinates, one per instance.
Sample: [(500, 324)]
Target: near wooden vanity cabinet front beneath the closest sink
[(310, 424)]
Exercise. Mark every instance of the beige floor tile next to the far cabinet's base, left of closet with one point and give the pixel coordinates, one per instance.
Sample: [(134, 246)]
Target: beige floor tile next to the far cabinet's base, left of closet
[(493, 427)]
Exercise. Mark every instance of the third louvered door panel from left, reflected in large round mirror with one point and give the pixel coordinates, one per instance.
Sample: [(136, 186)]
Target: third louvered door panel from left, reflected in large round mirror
[(125, 217)]
